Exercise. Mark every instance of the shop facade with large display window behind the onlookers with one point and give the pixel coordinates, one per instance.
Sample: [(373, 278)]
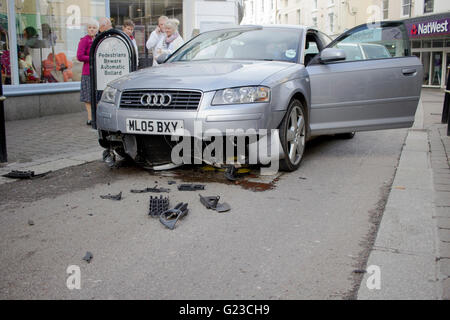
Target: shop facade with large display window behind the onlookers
[(39, 40)]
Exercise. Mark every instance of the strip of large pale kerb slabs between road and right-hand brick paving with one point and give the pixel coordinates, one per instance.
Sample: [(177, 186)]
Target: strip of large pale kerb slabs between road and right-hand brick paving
[(405, 249)]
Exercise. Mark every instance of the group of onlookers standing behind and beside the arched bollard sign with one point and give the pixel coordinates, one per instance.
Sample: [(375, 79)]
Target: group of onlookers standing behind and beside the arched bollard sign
[(165, 39)]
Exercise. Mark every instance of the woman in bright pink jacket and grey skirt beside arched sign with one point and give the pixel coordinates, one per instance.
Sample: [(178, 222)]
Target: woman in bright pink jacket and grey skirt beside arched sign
[(84, 47)]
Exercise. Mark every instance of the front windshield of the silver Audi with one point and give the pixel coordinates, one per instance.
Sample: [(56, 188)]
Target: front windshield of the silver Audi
[(247, 44)]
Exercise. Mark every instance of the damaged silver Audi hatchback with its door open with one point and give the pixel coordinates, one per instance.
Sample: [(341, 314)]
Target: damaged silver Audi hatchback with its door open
[(291, 78)]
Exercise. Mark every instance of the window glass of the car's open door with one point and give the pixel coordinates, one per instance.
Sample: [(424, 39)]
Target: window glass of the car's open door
[(379, 41)]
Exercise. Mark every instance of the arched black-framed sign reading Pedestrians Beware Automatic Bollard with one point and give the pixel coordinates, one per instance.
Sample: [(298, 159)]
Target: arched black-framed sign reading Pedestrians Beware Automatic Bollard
[(112, 56)]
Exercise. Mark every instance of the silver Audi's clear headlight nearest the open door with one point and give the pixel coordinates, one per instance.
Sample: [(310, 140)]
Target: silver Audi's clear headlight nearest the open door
[(242, 95)]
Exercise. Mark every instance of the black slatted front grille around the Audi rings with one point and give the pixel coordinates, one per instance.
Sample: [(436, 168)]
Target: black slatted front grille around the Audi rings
[(181, 100)]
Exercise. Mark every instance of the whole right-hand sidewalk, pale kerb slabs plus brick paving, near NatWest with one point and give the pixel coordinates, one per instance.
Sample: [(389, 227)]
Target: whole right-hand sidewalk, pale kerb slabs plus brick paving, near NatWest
[(412, 247)]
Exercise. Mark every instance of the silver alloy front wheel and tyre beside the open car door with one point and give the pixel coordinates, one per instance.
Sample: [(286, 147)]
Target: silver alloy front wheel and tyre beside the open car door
[(293, 136)]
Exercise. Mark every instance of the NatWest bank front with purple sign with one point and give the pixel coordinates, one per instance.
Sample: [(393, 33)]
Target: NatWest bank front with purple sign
[(430, 41)]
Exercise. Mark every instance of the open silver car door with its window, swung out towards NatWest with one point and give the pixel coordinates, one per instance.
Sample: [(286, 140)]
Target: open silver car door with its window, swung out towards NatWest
[(366, 91)]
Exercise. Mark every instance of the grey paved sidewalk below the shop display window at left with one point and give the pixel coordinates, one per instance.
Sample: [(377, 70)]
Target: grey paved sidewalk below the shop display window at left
[(49, 143)]
